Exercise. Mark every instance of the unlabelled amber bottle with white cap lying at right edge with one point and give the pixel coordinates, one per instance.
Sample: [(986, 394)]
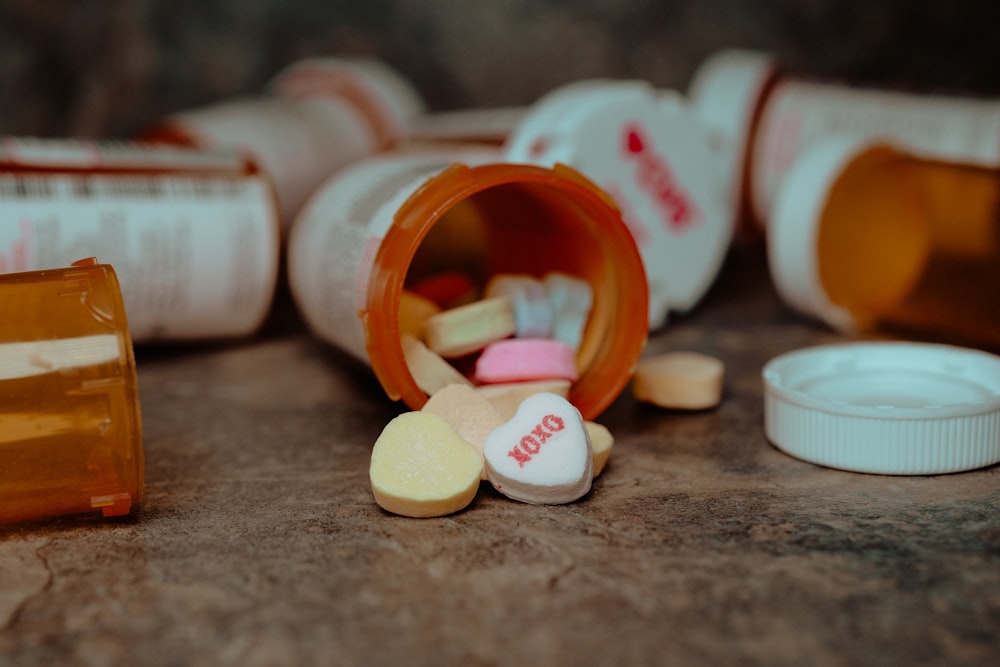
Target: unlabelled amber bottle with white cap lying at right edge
[(868, 236)]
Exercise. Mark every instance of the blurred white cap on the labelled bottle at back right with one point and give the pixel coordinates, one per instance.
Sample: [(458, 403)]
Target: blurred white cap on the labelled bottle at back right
[(725, 93)]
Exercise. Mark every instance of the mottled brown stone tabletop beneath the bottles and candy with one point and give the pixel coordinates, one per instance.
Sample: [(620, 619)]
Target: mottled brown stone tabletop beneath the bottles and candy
[(258, 541)]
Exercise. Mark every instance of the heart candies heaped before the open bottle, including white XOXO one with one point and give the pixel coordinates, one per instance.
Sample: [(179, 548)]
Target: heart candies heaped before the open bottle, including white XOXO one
[(430, 462)]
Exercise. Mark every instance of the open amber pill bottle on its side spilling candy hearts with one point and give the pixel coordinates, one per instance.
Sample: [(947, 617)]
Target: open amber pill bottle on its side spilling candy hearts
[(382, 223)]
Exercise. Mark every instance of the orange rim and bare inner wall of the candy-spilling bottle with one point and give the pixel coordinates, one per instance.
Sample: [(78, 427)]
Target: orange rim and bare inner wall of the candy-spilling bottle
[(506, 218)]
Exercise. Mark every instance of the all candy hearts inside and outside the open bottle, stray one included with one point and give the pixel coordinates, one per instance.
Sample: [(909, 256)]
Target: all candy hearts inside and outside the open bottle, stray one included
[(507, 419)]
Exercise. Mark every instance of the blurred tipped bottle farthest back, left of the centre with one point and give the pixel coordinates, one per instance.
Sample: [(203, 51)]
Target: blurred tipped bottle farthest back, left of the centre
[(316, 116)]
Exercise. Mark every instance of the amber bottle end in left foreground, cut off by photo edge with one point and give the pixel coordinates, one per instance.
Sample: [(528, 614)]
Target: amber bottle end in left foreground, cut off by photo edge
[(70, 432)]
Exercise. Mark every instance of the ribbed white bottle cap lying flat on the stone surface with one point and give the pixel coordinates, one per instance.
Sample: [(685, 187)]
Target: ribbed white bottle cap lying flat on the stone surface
[(888, 407)]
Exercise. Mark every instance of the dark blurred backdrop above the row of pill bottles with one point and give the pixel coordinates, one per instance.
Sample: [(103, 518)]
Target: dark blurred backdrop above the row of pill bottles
[(110, 68)]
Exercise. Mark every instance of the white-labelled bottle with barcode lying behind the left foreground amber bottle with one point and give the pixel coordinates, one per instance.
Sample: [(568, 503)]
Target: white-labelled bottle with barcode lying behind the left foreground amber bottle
[(192, 234)]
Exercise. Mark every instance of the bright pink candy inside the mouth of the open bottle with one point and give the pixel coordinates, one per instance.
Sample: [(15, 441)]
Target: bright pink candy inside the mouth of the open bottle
[(526, 359)]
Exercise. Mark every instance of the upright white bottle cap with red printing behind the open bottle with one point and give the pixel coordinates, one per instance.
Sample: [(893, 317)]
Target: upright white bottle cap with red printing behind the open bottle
[(649, 152)]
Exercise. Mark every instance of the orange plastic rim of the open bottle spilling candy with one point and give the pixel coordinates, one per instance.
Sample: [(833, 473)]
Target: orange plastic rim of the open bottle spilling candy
[(604, 379)]
